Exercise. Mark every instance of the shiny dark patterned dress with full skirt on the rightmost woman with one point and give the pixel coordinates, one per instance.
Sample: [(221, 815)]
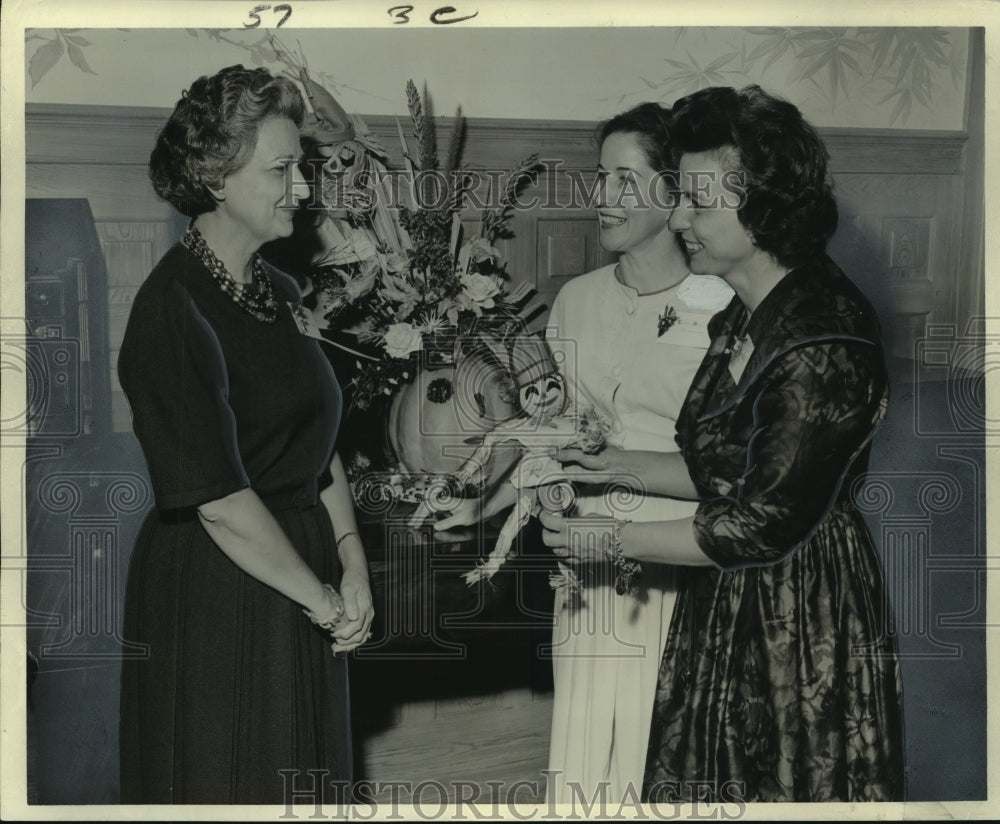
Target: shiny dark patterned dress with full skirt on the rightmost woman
[(779, 681)]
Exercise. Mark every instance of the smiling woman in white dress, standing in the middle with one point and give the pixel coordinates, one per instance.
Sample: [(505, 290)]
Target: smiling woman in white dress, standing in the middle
[(628, 338)]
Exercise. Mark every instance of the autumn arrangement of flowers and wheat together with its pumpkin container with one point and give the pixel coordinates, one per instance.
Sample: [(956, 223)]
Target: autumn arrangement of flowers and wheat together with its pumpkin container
[(394, 269)]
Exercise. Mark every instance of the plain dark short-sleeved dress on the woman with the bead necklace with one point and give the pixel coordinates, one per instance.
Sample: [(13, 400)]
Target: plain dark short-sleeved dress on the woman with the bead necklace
[(237, 684)]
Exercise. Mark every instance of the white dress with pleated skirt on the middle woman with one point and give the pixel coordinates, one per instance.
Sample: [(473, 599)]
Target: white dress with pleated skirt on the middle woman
[(607, 647)]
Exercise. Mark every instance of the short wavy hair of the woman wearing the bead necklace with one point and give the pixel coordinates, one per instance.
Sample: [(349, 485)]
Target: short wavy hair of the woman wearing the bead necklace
[(213, 131)]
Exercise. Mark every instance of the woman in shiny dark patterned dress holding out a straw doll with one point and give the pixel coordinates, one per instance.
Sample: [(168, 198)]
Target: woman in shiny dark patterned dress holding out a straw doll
[(779, 681)]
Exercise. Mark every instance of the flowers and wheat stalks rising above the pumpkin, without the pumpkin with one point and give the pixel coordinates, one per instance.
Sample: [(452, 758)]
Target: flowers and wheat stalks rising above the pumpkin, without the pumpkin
[(401, 277)]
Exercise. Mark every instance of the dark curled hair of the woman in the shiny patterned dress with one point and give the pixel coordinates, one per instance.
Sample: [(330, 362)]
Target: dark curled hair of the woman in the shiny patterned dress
[(789, 207)]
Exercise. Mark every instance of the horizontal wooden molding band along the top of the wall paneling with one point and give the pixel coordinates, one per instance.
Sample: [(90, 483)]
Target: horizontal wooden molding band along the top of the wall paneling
[(123, 135)]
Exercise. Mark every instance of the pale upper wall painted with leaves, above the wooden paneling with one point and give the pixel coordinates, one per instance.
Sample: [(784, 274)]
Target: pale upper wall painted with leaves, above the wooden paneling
[(903, 77)]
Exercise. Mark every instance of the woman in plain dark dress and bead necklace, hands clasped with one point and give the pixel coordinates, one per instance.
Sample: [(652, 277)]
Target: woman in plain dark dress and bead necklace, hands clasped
[(237, 414)]
